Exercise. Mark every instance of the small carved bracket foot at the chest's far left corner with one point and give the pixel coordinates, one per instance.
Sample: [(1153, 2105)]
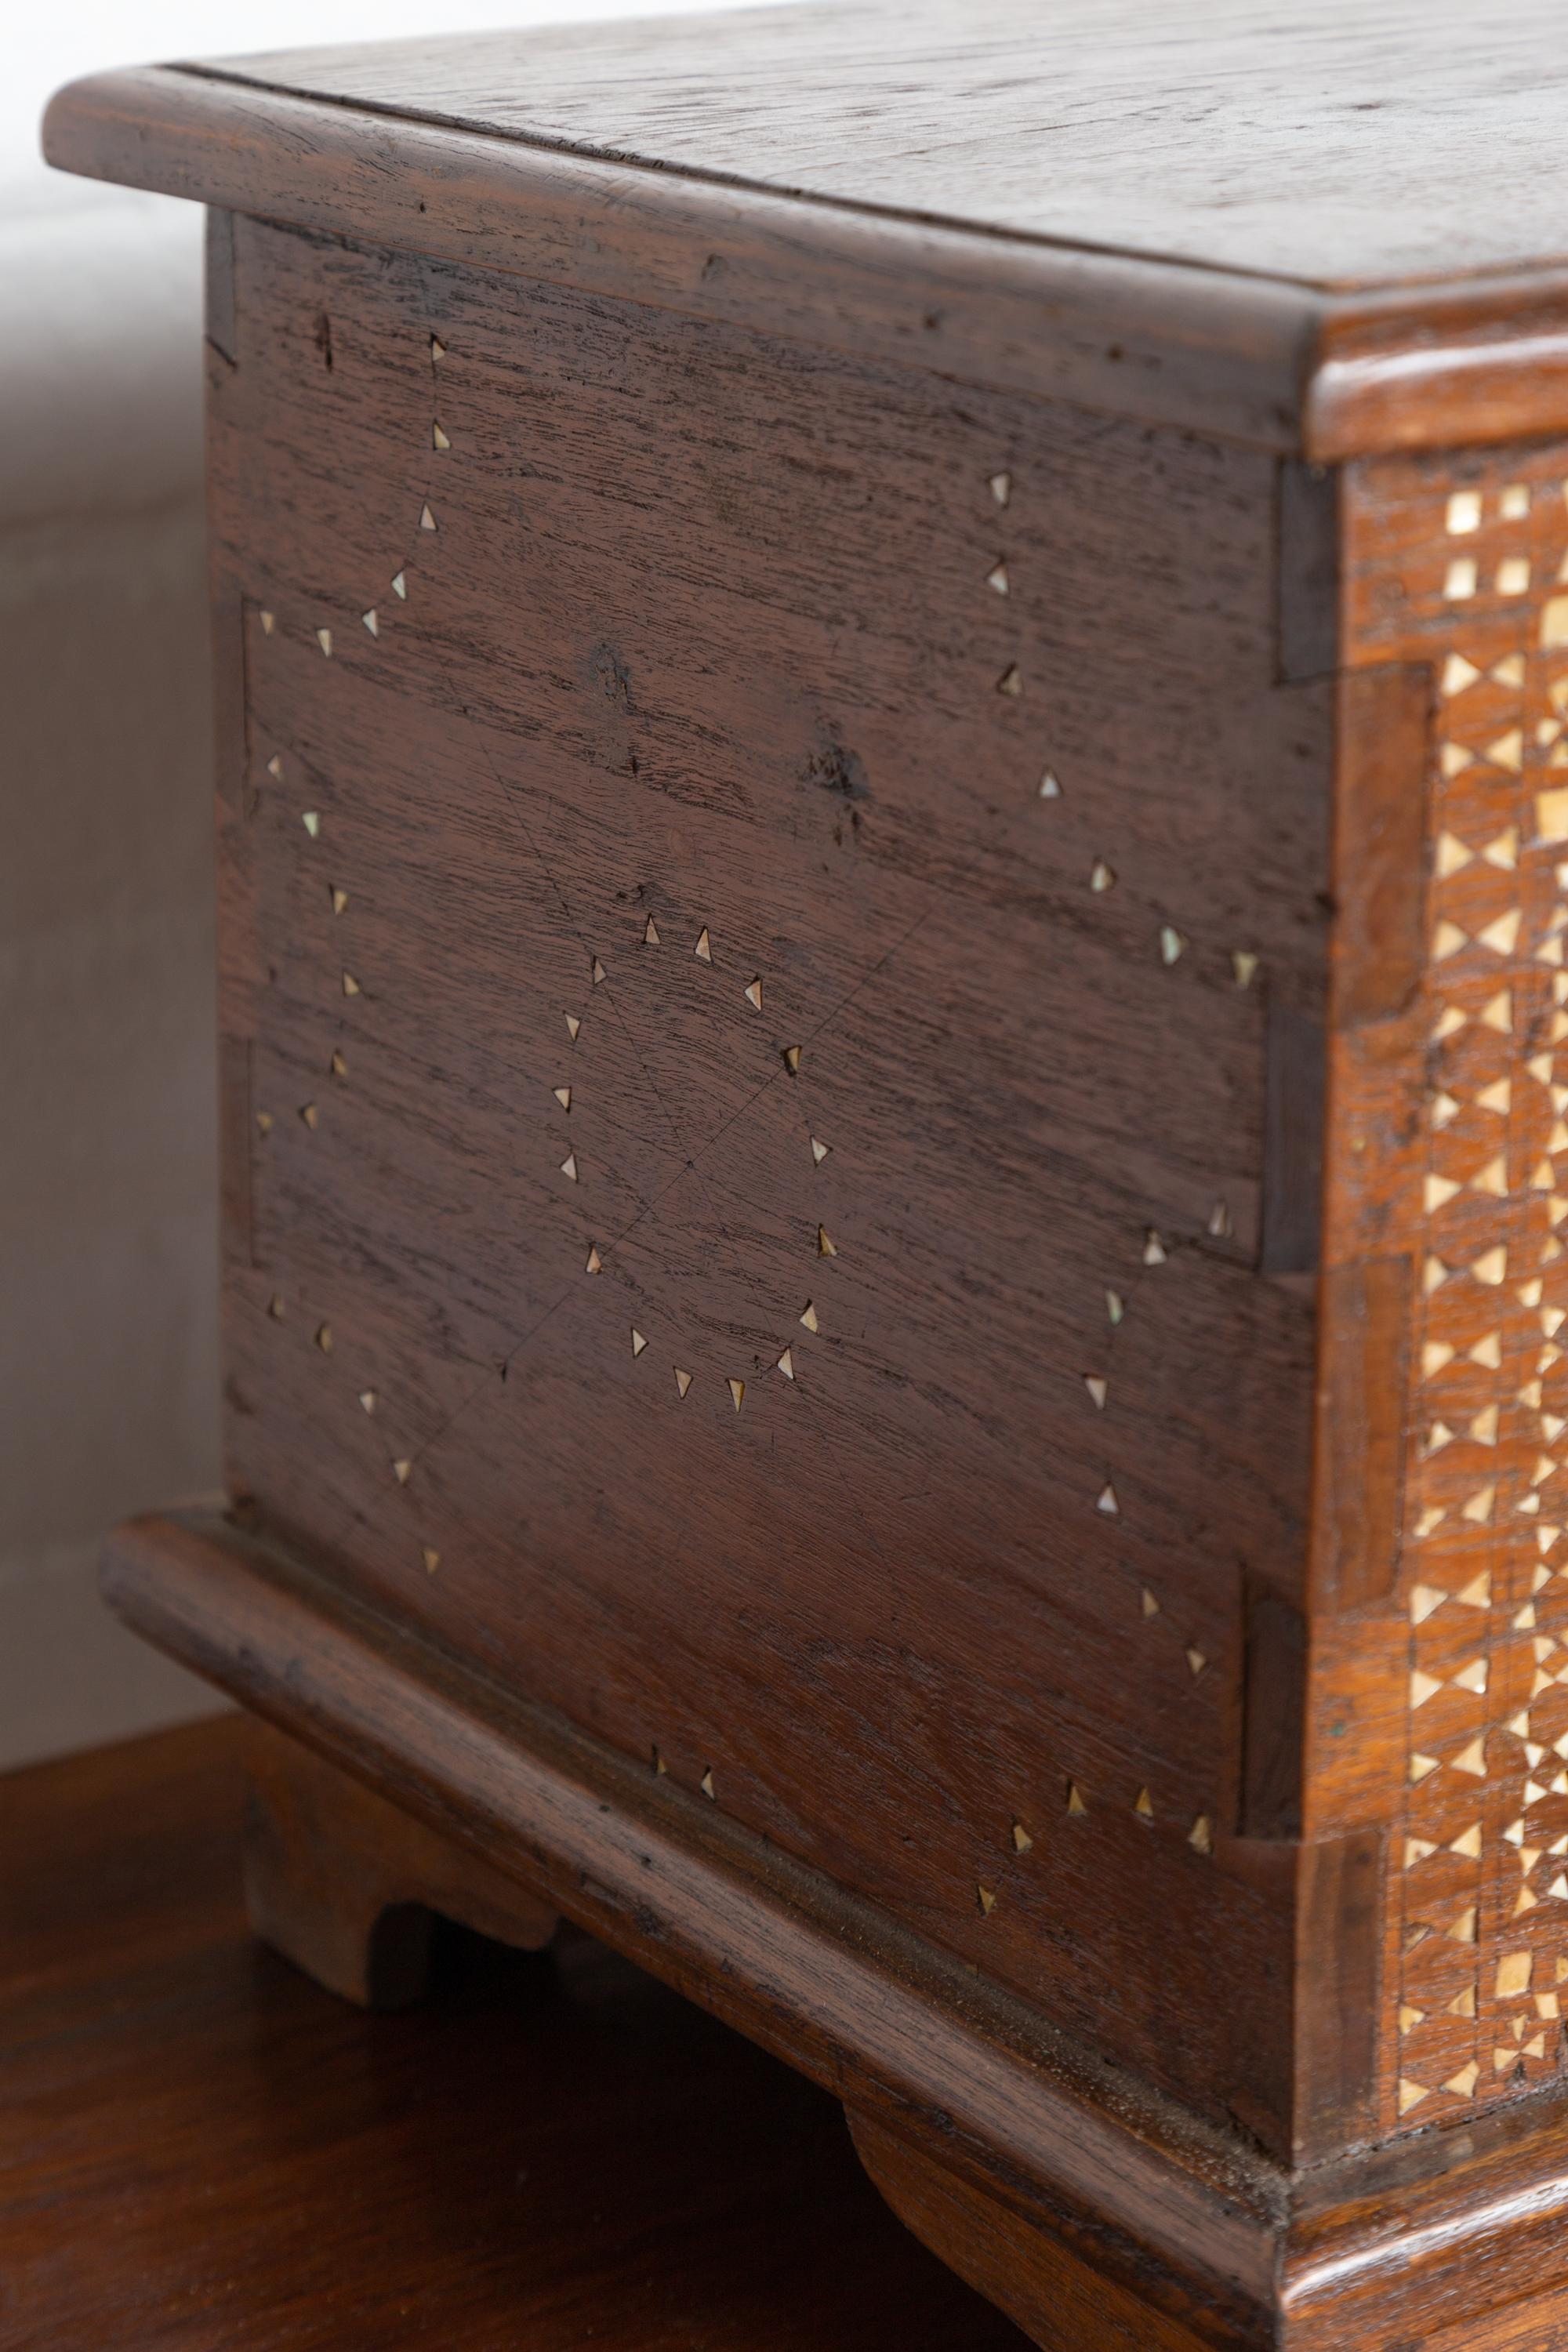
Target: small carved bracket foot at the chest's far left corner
[(347, 1887)]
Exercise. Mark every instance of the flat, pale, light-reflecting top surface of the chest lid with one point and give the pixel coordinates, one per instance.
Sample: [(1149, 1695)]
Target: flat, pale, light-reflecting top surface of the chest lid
[(1348, 145)]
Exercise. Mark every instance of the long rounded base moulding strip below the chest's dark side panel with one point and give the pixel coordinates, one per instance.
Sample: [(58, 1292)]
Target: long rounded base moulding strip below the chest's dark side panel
[(810, 1970)]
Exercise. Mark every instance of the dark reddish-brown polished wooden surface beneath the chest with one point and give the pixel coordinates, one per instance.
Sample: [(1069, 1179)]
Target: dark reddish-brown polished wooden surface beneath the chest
[(203, 2151)]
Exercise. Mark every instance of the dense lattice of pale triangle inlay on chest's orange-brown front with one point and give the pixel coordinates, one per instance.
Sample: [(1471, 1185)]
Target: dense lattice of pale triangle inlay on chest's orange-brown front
[(1473, 577)]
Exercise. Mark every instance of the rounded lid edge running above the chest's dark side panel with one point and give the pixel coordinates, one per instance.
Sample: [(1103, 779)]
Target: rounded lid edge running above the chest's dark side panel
[(1186, 347)]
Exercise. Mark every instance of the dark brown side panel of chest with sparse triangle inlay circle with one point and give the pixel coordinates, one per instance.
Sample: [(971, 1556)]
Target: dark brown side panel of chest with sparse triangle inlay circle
[(916, 1497)]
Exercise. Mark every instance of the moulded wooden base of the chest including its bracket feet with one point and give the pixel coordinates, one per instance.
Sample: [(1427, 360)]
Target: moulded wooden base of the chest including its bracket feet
[(1064, 2189)]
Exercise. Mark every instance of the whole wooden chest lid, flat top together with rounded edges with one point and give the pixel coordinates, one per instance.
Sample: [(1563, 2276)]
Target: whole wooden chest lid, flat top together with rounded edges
[(1322, 229)]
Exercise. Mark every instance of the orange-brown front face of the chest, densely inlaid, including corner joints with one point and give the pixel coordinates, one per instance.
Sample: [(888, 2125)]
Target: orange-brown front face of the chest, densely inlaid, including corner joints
[(1442, 1678)]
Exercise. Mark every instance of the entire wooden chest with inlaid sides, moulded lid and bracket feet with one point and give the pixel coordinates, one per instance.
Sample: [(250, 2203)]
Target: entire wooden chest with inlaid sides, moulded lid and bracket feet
[(894, 836)]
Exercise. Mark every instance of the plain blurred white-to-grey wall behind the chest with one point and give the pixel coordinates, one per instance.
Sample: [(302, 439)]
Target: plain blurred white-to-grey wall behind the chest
[(107, 1005)]
